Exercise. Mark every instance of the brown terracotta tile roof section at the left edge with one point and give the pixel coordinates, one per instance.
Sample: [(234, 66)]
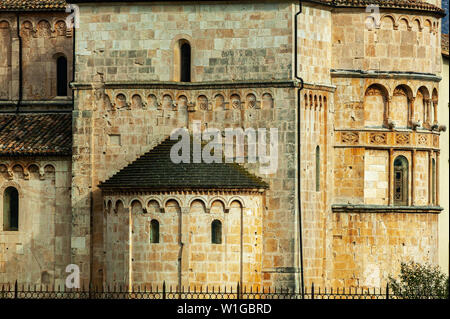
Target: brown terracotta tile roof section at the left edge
[(35, 134)]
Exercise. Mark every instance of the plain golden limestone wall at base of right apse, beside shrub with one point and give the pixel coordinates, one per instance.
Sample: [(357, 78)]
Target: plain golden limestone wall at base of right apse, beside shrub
[(368, 247)]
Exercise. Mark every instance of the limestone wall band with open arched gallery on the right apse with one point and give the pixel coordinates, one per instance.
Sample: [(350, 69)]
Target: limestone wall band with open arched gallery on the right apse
[(368, 103)]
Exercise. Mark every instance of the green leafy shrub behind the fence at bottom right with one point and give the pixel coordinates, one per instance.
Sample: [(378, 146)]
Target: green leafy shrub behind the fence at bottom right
[(419, 281)]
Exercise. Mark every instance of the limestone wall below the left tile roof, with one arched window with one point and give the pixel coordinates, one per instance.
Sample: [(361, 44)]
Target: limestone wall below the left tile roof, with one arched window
[(39, 252)]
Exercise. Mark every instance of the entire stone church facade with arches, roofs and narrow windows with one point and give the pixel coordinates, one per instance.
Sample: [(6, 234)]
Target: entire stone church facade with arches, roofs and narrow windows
[(85, 175)]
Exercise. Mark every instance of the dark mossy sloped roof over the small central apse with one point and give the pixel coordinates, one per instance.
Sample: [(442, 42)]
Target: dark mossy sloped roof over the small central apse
[(155, 171)]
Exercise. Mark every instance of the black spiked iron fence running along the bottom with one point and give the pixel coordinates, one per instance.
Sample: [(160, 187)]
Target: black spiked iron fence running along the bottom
[(17, 291)]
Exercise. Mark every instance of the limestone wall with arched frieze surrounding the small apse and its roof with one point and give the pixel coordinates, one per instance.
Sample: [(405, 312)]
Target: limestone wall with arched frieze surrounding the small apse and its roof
[(111, 136)]
